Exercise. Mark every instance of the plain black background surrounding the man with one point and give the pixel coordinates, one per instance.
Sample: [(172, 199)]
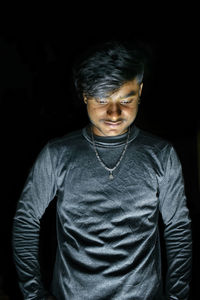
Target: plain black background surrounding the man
[(37, 49)]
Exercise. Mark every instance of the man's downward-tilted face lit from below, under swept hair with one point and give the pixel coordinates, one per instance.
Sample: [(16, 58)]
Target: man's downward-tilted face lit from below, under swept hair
[(113, 115)]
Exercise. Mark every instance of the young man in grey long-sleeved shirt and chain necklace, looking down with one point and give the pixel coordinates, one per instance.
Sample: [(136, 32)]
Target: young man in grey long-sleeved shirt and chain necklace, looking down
[(112, 180)]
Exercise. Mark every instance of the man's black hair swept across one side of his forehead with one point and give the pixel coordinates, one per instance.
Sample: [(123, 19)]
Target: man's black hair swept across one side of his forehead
[(106, 68)]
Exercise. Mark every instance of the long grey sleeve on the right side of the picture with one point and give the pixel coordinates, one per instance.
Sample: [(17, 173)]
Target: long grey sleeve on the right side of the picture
[(177, 232)]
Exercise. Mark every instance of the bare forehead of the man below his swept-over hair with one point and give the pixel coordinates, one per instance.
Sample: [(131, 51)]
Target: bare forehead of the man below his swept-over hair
[(128, 89)]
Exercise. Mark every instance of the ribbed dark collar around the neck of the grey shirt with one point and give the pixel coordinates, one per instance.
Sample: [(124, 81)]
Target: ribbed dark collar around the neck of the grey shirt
[(113, 141)]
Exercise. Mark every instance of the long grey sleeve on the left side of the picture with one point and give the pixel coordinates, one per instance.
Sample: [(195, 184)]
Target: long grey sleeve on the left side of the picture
[(39, 190)]
